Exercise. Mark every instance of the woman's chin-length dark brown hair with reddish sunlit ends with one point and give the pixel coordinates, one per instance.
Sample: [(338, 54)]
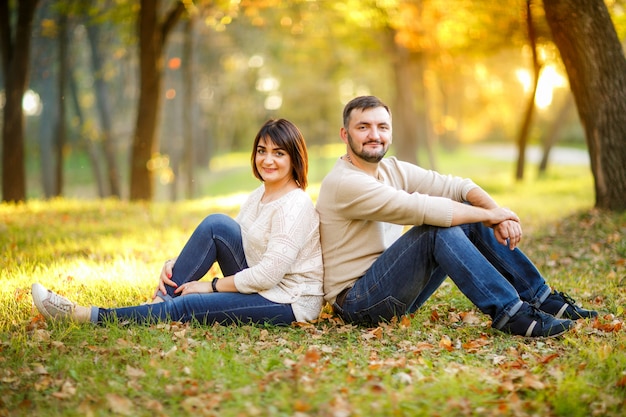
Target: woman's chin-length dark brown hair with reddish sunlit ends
[(287, 136)]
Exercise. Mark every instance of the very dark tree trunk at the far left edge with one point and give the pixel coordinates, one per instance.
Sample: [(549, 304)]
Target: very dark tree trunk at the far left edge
[(15, 65)]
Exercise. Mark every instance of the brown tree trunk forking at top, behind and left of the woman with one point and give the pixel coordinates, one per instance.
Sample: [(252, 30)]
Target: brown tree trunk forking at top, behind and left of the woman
[(152, 38)]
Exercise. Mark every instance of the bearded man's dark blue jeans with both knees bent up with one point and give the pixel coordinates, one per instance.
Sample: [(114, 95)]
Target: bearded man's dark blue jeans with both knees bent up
[(495, 278)]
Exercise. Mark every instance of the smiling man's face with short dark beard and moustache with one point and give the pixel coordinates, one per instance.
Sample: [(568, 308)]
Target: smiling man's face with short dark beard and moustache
[(369, 133)]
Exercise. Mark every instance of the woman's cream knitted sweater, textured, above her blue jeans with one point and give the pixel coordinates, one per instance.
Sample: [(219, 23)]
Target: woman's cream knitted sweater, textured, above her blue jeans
[(282, 247)]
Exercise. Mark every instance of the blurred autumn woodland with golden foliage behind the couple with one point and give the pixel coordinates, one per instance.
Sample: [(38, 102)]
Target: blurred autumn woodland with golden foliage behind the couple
[(146, 98)]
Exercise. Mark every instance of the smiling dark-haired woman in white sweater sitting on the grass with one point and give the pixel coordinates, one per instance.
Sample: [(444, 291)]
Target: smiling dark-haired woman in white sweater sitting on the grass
[(270, 254)]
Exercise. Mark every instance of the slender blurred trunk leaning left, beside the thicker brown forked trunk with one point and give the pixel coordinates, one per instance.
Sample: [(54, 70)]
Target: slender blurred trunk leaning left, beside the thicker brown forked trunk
[(104, 111)]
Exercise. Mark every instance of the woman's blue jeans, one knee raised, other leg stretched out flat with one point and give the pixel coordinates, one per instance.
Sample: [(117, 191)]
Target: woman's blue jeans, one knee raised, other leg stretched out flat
[(216, 239)]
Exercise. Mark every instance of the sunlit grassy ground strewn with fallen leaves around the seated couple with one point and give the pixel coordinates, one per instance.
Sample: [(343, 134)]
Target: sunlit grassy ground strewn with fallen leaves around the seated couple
[(443, 361)]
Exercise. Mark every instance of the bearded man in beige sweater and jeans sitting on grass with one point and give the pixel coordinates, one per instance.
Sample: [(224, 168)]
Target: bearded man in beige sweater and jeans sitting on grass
[(374, 271)]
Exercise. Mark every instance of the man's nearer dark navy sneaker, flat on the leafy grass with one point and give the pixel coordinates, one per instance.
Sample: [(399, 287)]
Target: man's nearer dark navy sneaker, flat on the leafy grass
[(531, 322)]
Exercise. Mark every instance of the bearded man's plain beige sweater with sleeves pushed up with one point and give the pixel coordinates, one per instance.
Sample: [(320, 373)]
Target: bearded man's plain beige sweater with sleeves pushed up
[(361, 216)]
